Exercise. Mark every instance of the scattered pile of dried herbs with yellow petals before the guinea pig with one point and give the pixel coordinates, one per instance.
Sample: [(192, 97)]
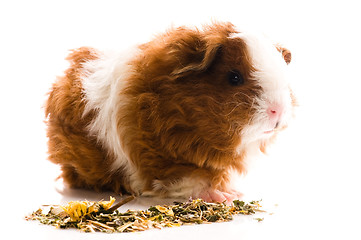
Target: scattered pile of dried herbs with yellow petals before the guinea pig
[(103, 217)]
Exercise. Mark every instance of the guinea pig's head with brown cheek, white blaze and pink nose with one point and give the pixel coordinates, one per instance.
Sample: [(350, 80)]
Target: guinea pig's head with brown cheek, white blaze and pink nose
[(217, 90)]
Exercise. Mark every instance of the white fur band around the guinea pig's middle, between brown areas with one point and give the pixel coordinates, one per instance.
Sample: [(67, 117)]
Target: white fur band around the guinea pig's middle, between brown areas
[(103, 83)]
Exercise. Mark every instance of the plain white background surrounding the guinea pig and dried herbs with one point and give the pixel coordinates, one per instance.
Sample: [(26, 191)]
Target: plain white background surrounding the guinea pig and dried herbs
[(311, 178)]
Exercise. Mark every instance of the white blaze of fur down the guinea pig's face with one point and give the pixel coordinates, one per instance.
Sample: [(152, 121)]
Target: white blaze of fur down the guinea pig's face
[(271, 75)]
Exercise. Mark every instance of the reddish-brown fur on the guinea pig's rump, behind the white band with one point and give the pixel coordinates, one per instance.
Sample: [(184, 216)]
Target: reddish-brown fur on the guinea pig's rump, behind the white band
[(82, 160)]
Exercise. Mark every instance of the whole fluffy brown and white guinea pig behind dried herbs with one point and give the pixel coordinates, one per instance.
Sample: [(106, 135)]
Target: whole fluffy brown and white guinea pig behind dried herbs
[(174, 117)]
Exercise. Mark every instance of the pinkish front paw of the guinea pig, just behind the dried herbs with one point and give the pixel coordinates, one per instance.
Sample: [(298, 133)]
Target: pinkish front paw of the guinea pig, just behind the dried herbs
[(214, 195)]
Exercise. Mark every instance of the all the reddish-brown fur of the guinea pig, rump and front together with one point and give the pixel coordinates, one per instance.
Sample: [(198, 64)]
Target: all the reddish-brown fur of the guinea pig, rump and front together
[(182, 119)]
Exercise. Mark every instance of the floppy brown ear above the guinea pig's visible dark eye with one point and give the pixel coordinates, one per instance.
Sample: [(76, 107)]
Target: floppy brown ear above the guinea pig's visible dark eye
[(201, 60)]
